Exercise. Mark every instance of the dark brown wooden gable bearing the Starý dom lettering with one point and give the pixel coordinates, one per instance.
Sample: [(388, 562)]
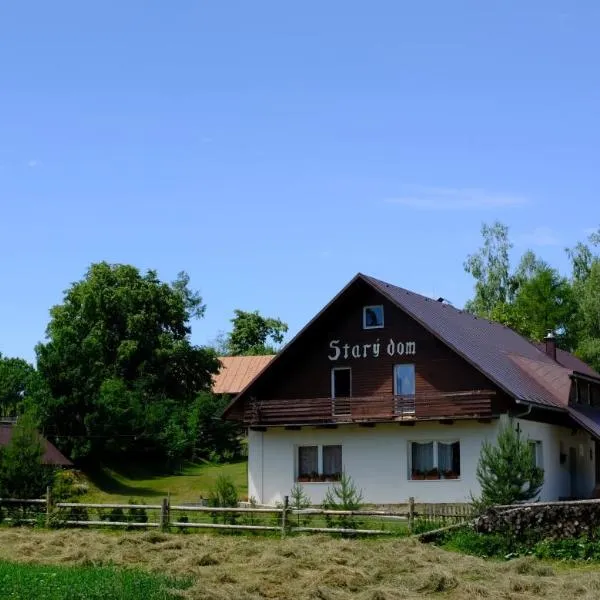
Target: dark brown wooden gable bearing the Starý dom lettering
[(336, 339)]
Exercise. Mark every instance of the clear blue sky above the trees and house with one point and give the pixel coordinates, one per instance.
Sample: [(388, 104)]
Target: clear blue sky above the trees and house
[(274, 149)]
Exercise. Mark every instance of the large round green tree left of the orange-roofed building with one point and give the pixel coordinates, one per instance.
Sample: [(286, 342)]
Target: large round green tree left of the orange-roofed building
[(120, 366)]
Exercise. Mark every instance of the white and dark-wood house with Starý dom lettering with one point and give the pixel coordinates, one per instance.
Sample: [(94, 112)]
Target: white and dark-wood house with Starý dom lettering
[(400, 391)]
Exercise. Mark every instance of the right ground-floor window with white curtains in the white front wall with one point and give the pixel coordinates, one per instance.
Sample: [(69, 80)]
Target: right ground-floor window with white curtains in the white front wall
[(434, 460)]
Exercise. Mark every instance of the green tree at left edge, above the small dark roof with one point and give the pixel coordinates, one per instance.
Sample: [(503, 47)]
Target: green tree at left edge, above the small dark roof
[(20, 383)]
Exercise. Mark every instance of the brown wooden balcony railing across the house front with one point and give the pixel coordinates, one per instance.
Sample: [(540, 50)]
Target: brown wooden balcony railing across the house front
[(370, 409)]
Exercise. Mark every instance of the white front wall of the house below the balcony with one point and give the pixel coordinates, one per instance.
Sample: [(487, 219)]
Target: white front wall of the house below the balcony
[(376, 458)]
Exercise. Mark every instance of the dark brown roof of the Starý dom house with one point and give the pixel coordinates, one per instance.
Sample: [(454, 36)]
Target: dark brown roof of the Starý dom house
[(512, 362)]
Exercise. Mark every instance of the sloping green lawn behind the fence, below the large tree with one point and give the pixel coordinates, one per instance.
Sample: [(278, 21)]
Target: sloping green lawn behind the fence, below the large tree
[(124, 482)]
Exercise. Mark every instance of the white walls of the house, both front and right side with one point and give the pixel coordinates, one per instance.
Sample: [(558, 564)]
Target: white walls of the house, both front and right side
[(377, 460)]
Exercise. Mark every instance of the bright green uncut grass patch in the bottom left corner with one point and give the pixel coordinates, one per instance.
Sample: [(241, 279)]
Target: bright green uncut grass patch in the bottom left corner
[(51, 582)]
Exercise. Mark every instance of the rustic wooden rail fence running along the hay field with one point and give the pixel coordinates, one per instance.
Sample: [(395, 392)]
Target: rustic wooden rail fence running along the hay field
[(282, 519)]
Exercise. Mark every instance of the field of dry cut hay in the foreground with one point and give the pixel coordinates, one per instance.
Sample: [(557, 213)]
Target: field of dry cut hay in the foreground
[(301, 568)]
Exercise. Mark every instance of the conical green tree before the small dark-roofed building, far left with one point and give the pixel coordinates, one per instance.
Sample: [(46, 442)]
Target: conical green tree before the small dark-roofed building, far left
[(22, 471)]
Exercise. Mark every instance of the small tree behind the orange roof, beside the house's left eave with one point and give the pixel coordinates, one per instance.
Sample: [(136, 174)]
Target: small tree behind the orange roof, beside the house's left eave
[(251, 333)]
